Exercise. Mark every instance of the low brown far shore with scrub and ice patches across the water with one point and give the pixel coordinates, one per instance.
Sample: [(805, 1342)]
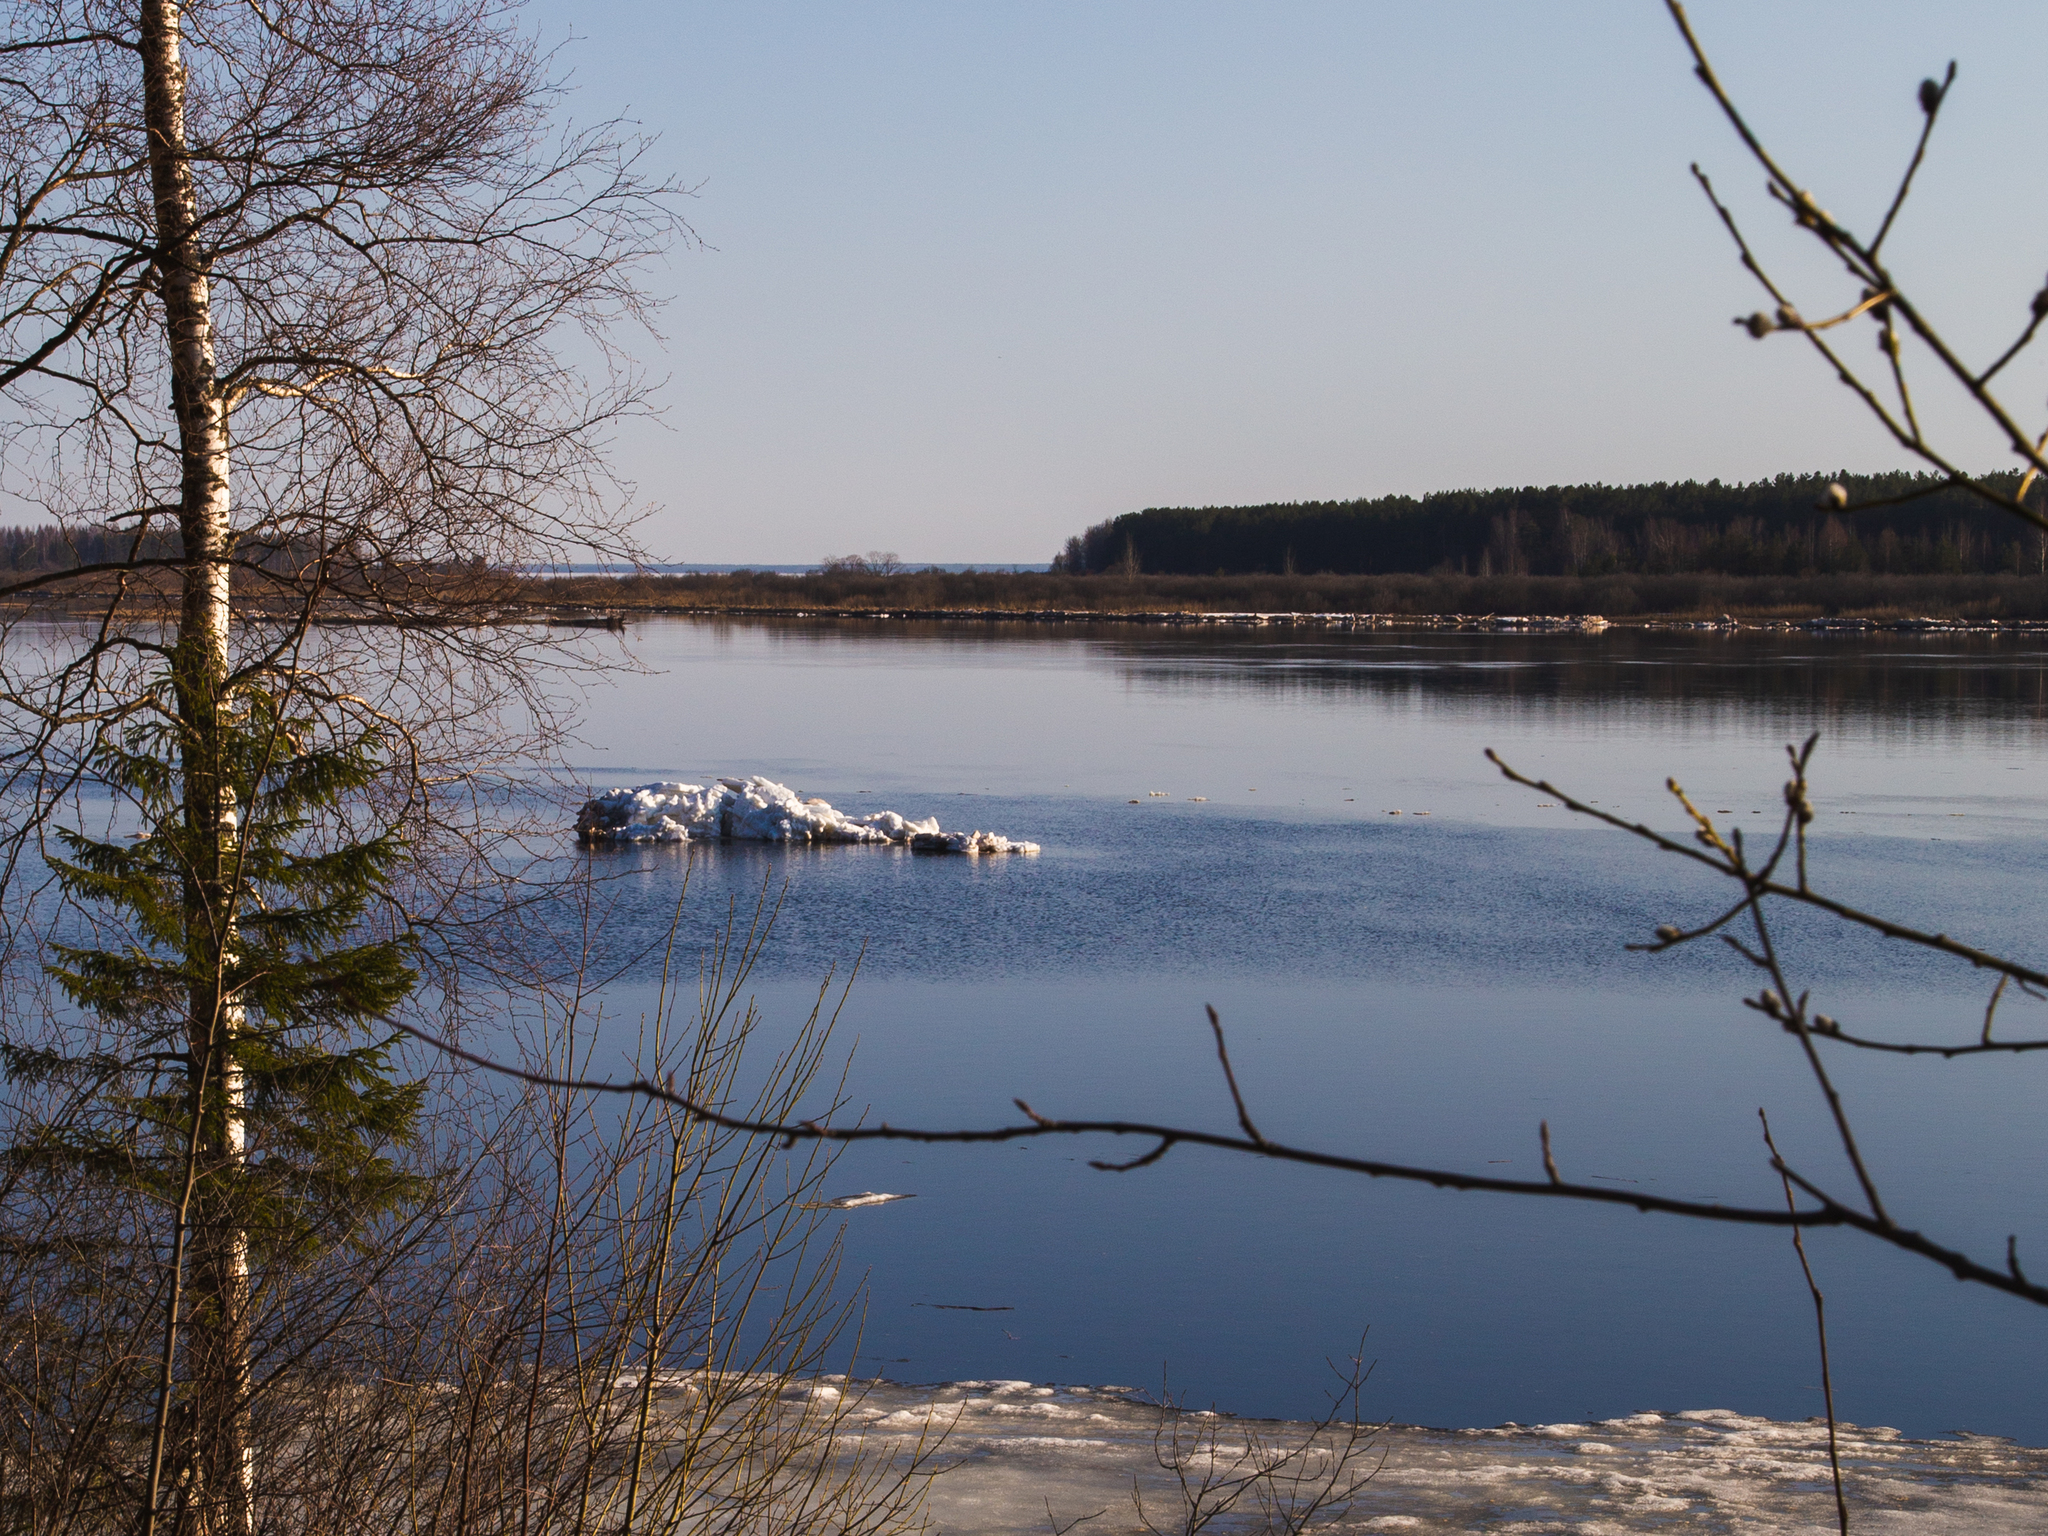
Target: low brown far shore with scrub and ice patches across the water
[(429, 597)]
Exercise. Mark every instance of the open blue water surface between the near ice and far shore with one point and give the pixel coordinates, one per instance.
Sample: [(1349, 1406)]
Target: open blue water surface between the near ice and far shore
[(1408, 988)]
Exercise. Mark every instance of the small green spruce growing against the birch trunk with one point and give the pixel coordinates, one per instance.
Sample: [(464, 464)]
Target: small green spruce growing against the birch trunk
[(239, 1082)]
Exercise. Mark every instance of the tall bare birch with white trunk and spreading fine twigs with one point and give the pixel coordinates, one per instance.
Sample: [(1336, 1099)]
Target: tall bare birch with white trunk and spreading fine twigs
[(325, 290)]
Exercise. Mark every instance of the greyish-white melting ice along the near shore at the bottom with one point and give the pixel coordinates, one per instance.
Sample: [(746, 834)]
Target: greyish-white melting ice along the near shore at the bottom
[(1019, 1445)]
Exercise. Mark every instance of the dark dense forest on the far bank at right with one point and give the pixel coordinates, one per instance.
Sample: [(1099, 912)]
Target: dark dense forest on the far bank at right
[(1773, 527)]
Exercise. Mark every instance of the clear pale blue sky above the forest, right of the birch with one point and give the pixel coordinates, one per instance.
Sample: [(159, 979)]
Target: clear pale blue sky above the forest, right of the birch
[(974, 278)]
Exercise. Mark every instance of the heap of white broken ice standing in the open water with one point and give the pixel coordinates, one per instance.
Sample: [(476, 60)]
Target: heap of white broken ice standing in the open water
[(759, 810)]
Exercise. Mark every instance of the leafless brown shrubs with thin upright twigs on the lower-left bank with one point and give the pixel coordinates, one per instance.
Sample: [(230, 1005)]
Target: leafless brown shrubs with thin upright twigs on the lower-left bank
[(603, 1318)]
